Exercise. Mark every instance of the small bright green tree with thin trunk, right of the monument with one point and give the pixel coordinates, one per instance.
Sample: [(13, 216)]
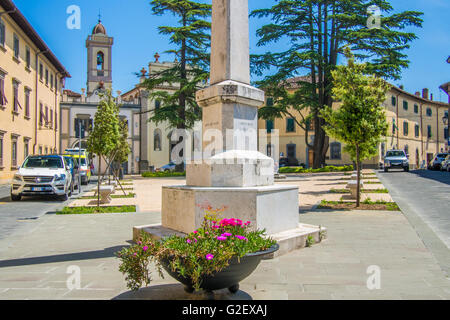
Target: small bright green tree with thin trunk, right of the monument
[(360, 121)]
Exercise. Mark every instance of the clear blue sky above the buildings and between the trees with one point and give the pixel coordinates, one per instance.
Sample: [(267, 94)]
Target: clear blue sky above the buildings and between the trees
[(136, 38)]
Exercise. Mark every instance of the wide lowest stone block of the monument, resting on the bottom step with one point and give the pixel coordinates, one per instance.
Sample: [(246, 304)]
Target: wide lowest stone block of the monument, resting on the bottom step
[(274, 208)]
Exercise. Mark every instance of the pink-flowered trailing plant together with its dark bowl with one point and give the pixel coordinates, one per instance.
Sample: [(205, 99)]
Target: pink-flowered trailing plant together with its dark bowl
[(218, 255)]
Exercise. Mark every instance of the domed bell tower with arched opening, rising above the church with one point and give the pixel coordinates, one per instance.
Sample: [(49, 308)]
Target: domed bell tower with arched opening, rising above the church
[(99, 49)]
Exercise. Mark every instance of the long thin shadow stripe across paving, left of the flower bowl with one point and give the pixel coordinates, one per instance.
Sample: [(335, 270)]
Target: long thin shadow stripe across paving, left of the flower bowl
[(98, 254)]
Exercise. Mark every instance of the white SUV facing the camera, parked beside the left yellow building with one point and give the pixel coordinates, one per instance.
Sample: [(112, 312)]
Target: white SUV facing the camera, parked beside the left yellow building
[(42, 175)]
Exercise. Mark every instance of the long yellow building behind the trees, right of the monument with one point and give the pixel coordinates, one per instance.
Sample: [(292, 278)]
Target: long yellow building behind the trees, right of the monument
[(415, 125)]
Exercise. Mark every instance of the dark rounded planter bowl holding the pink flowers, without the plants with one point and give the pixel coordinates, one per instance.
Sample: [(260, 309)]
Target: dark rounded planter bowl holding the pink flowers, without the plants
[(238, 270)]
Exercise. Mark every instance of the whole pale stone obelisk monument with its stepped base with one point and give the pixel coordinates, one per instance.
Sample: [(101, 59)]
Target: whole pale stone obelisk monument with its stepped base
[(236, 174)]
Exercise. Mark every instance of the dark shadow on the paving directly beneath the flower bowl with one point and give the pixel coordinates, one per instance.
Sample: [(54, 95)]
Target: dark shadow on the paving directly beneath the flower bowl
[(176, 292)]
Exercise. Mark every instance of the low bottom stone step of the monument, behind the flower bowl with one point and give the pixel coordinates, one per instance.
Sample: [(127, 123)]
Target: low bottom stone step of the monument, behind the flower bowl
[(288, 240)]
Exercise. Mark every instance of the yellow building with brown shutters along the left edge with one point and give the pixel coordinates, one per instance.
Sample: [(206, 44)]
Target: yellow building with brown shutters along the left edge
[(31, 78)]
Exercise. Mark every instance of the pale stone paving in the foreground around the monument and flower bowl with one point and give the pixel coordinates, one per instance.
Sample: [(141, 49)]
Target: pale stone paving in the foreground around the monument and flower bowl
[(35, 266)]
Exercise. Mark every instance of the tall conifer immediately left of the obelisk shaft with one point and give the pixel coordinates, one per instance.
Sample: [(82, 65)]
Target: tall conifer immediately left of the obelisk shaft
[(191, 41)]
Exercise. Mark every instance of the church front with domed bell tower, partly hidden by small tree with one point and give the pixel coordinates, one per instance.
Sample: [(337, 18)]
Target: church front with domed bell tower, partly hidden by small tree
[(80, 108)]
